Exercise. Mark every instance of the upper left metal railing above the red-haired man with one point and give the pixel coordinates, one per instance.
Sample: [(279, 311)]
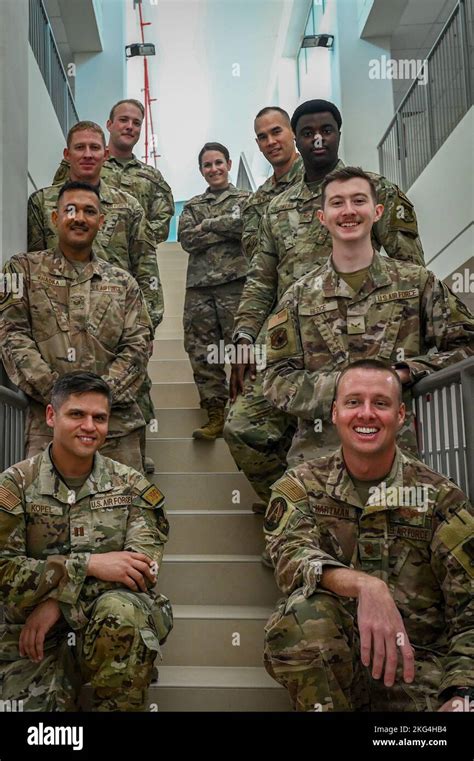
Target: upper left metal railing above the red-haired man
[(46, 52)]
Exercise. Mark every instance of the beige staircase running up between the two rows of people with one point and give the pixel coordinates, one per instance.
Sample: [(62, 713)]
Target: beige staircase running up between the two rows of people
[(221, 593)]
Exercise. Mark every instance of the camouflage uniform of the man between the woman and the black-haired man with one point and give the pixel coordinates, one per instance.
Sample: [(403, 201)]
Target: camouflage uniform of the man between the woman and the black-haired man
[(256, 206)]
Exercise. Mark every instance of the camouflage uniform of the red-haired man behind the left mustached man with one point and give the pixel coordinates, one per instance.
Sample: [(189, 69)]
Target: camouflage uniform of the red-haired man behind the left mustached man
[(125, 239)]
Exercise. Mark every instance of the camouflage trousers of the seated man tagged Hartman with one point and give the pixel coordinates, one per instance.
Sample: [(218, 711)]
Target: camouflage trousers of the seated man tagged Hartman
[(312, 648)]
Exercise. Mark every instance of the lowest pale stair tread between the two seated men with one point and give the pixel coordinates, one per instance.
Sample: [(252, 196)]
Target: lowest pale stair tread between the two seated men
[(230, 677)]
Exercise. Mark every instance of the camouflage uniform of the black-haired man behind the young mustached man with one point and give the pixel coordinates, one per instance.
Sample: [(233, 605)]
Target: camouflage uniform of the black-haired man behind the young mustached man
[(293, 242)]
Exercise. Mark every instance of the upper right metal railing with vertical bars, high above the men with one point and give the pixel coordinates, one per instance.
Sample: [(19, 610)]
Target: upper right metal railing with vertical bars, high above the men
[(418, 102)]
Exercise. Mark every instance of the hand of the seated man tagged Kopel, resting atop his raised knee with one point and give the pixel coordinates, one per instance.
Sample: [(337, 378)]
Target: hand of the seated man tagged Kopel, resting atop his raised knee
[(129, 568)]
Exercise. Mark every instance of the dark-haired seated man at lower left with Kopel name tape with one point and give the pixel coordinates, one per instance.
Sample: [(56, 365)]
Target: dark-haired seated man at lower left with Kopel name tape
[(81, 541)]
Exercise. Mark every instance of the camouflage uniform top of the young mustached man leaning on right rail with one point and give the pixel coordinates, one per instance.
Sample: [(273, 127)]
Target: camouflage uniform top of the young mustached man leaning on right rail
[(401, 314)]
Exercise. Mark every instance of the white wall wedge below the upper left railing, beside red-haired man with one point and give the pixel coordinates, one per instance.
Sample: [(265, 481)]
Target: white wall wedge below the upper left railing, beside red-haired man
[(45, 136)]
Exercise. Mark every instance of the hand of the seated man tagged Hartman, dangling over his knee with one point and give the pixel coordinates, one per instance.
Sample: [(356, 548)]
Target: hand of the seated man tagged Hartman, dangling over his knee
[(382, 632)]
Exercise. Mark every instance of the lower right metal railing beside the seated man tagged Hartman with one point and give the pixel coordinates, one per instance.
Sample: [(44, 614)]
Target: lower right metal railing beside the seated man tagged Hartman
[(444, 403)]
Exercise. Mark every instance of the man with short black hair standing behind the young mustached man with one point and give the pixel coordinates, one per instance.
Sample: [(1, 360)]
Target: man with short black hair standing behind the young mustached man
[(292, 242)]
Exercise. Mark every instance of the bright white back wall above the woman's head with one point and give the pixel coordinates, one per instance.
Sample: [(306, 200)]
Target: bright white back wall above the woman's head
[(199, 98)]
